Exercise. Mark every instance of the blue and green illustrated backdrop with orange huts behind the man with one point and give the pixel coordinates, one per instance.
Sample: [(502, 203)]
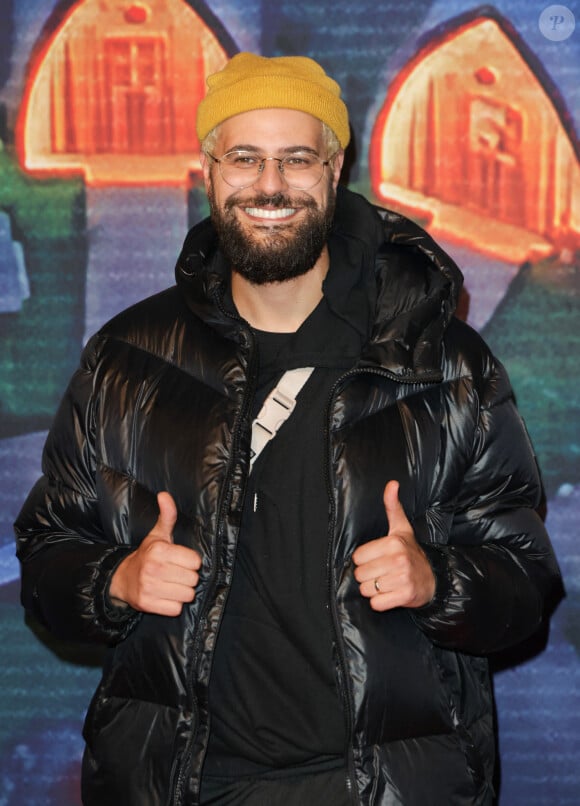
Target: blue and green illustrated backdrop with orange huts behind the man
[(464, 117)]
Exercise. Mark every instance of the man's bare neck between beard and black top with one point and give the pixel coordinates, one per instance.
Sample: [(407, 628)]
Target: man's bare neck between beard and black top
[(280, 307)]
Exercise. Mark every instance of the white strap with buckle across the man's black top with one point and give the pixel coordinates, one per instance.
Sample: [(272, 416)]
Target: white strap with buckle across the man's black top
[(277, 407)]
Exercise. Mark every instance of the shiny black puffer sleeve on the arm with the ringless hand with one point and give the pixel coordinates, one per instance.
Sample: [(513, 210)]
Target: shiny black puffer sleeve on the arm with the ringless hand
[(66, 557)]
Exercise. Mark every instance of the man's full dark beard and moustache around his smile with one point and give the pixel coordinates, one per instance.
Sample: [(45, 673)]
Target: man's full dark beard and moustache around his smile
[(281, 252)]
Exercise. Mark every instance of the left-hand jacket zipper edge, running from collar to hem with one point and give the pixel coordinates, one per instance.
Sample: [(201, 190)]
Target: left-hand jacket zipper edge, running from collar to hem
[(185, 764)]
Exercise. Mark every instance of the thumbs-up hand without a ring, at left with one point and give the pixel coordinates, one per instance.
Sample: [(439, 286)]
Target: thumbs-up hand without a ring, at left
[(158, 577)]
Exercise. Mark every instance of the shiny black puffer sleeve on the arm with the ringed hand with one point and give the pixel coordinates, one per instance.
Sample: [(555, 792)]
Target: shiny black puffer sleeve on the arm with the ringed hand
[(494, 564)]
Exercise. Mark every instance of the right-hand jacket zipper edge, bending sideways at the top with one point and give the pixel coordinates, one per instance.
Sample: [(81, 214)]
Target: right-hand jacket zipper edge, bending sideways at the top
[(342, 673)]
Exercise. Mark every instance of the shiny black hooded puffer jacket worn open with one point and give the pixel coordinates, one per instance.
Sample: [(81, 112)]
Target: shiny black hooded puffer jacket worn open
[(161, 402)]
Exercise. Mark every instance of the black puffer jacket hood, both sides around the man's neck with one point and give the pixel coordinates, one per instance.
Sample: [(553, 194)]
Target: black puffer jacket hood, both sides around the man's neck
[(412, 283)]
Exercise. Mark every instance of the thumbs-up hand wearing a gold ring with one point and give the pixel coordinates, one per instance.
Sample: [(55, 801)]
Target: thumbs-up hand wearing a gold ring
[(393, 571)]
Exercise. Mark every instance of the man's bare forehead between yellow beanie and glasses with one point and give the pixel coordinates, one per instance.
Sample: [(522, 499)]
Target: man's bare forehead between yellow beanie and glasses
[(271, 130)]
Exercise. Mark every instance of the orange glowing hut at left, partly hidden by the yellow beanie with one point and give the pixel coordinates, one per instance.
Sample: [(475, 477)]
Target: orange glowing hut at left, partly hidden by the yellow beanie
[(113, 89)]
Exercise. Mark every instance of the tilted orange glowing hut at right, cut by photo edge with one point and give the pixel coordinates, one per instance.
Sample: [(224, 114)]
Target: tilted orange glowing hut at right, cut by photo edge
[(470, 138)]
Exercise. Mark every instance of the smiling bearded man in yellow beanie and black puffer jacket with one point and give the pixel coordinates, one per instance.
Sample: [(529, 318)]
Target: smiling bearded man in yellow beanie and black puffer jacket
[(302, 614)]
